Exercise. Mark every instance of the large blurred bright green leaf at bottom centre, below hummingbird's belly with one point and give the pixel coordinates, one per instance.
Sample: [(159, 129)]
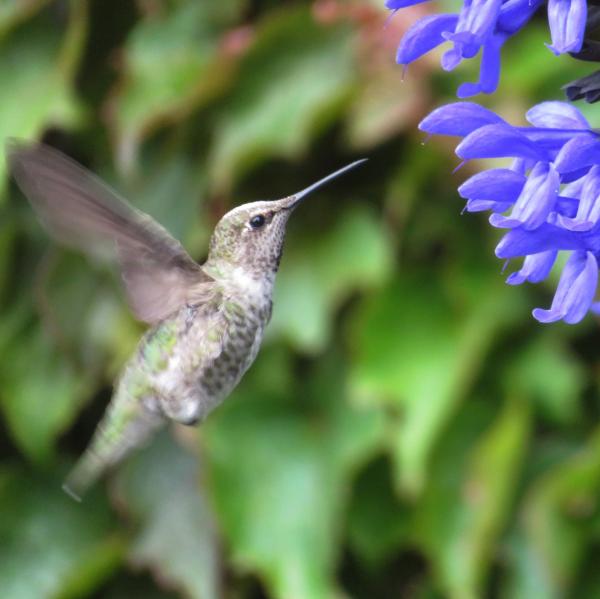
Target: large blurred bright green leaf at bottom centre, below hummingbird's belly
[(279, 475)]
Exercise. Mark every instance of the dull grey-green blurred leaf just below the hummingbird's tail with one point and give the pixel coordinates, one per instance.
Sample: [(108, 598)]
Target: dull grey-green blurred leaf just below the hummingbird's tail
[(162, 489)]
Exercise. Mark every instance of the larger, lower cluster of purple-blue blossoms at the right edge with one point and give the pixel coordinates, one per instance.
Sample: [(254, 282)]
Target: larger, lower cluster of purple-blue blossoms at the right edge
[(548, 198)]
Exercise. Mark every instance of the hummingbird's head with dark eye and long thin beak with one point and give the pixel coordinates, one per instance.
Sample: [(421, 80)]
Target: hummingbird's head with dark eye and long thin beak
[(251, 236)]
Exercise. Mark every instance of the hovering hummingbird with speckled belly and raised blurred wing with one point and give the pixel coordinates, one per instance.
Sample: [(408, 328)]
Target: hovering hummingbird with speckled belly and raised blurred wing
[(206, 321)]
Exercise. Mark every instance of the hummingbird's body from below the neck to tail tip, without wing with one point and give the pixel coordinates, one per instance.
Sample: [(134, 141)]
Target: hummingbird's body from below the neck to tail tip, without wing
[(183, 368)]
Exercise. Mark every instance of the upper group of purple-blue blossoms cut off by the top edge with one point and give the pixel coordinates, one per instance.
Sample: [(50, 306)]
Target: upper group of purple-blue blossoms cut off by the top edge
[(485, 25)]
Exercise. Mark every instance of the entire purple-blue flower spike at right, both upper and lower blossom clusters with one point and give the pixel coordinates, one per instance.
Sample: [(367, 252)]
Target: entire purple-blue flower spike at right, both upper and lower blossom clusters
[(548, 196)]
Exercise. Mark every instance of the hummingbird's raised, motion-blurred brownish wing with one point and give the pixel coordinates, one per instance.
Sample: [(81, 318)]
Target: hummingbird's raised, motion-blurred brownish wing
[(81, 211)]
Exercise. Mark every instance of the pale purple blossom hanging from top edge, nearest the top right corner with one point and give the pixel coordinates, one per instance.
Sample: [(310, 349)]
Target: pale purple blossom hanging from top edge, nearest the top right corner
[(567, 24)]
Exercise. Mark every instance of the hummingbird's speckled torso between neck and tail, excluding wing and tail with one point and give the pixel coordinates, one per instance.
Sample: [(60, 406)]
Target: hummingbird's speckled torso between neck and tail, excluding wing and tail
[(193, 359)]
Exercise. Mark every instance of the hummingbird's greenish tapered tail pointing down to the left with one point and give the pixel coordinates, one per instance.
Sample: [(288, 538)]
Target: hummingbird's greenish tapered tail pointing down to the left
[(126, 425)]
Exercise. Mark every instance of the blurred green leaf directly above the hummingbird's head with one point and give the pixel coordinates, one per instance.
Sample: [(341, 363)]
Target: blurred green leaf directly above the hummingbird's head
[(291, 84)]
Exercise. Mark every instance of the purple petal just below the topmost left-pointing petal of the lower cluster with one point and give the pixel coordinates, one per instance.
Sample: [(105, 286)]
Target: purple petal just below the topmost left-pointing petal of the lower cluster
[(498, 141)]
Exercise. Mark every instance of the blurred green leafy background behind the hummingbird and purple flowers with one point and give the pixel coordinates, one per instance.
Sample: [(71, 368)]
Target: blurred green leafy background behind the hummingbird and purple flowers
[(408, 429)]
